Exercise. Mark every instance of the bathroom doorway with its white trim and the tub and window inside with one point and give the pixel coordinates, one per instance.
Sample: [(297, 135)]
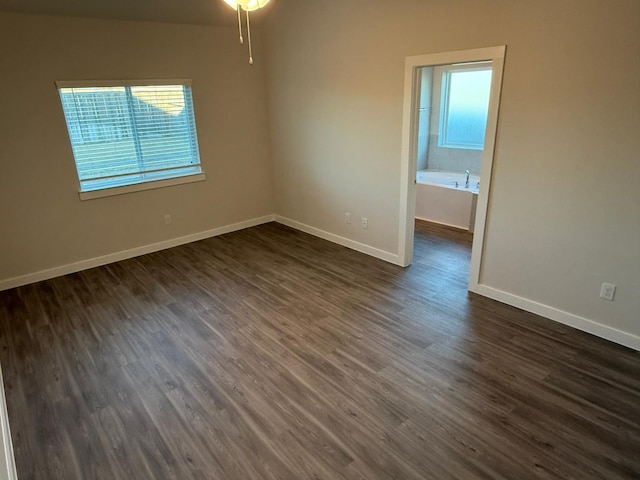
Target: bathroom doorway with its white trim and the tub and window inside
[(432, 136)]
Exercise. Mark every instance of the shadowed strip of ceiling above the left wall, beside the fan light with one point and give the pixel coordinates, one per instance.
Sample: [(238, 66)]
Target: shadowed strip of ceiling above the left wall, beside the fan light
[(202, 12)]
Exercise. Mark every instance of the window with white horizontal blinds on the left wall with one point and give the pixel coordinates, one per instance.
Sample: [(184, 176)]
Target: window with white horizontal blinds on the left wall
[(130, 134)]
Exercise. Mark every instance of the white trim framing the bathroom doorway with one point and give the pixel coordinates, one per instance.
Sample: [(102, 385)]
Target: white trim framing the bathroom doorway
[(409, 143)]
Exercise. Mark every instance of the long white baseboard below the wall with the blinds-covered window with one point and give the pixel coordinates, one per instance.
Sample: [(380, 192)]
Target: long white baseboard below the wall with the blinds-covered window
[(126, 254)]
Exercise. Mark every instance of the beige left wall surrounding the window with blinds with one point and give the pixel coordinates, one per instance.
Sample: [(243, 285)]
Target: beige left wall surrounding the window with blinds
[(44, 224)]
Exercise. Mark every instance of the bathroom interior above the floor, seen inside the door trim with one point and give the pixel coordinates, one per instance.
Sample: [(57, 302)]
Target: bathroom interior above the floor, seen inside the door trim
[(453, 106)]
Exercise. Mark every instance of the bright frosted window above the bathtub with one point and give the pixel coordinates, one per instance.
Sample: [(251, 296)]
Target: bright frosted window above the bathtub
[(464, 107)]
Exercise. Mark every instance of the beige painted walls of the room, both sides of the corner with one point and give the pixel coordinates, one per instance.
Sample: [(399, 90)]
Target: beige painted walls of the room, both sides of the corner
[(564, 213)]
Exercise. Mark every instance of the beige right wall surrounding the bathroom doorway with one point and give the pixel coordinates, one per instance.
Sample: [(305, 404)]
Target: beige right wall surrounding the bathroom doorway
[(564, 211)]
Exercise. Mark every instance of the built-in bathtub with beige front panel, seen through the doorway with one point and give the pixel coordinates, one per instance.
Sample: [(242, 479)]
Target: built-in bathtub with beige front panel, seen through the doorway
[(441, 197)]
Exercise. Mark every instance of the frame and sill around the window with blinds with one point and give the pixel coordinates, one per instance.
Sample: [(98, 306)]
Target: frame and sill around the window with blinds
[(146, 184)]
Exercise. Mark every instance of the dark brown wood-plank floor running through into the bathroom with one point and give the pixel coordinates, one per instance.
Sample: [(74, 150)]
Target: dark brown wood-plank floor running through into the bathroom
[(271, 354)]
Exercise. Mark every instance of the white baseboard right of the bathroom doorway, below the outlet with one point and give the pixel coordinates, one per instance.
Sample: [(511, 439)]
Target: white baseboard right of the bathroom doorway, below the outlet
[(566, 318)]
